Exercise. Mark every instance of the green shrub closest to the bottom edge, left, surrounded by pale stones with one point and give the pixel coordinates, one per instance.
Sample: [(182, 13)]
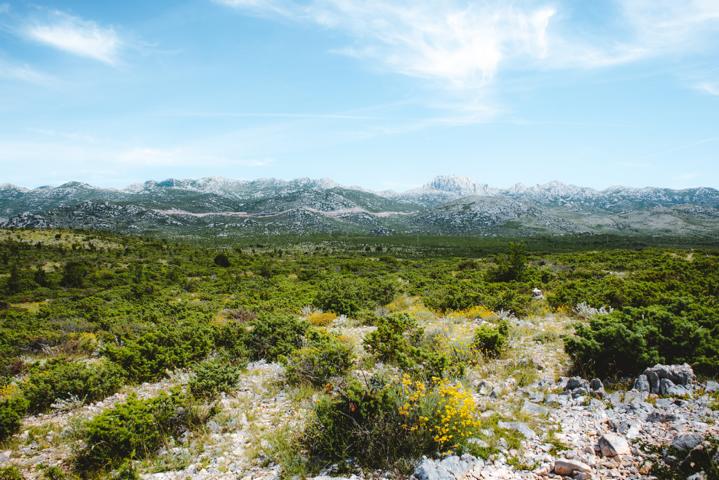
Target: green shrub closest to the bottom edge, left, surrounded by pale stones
[(134, 429)]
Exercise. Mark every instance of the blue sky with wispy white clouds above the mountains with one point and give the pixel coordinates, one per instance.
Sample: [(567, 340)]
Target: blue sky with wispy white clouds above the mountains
[(374, 93)]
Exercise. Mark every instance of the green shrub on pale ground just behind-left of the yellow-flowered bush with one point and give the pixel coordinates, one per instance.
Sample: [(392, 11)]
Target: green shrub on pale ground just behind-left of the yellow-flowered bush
[(324, 356)]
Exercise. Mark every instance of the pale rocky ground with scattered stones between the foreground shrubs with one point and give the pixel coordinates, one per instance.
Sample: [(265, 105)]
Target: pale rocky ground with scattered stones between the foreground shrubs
[(569, 427)]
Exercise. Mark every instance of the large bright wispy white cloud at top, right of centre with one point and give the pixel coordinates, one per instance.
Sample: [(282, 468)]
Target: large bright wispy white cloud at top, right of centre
[(458, 44)]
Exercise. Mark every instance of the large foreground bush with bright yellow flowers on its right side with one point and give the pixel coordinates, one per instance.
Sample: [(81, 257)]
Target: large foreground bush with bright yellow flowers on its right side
[(391, 425)]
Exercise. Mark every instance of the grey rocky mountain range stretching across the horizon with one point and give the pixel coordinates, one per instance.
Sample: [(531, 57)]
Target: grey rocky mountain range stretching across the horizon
[(446, 205)]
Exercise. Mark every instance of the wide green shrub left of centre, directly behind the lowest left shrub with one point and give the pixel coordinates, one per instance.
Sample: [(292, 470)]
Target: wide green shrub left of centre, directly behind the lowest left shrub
[(166, 347)]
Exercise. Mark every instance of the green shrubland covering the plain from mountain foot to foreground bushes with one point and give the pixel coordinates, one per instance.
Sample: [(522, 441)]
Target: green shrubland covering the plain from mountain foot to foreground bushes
[(84, 314)]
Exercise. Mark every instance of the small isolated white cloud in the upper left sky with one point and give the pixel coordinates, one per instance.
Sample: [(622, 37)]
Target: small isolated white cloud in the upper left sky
[(77, 36)]
